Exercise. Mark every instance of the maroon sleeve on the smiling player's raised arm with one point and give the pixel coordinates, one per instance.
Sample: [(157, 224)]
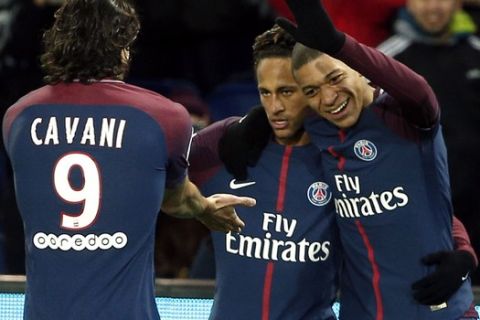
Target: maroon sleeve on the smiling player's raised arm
[(419, 103)]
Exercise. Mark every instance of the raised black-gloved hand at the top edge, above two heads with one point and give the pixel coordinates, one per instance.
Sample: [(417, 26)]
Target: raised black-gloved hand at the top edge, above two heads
[(314, 27)]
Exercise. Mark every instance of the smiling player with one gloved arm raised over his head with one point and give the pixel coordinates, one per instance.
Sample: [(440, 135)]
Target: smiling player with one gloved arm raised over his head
[(383, 155)]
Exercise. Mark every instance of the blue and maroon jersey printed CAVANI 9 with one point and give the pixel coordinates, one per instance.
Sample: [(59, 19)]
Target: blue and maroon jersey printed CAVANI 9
[(90, 164)]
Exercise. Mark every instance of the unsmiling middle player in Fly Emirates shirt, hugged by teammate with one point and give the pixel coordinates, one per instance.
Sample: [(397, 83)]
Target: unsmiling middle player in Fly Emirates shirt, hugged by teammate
[(284, 263)]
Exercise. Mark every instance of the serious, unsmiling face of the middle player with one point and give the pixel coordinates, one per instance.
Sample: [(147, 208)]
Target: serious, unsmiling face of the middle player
[(282, 99)]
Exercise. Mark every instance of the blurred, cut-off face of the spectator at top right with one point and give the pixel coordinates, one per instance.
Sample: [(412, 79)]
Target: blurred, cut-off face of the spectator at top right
[(433, 16)]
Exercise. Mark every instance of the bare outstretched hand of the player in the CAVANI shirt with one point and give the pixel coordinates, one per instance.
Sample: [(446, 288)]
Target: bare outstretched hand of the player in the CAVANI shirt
[(220, 214)]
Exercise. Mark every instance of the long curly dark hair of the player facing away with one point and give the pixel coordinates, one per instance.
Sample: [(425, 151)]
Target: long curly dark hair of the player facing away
[(89, 40)]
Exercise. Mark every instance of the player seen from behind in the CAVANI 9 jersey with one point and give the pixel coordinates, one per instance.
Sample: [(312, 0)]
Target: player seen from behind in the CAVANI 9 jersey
[(93, 158)]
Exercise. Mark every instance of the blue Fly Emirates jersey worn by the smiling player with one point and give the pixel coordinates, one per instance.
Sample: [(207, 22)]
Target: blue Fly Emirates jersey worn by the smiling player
[(391, 194)]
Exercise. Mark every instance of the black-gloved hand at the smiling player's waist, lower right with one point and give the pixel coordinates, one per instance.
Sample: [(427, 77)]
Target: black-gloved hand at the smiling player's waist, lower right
[(453, 268)]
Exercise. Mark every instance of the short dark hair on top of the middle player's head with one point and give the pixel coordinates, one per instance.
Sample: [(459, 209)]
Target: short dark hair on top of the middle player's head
[(275, 42)]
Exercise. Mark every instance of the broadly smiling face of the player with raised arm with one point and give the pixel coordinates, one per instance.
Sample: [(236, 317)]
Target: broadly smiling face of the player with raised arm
[(334, 90)]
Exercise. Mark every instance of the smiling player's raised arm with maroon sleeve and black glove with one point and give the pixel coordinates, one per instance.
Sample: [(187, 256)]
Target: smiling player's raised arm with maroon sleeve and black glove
[(316, 30)]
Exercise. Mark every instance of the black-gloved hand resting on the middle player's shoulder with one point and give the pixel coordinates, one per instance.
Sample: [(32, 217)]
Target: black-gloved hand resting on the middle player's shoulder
[(243, 142)]
